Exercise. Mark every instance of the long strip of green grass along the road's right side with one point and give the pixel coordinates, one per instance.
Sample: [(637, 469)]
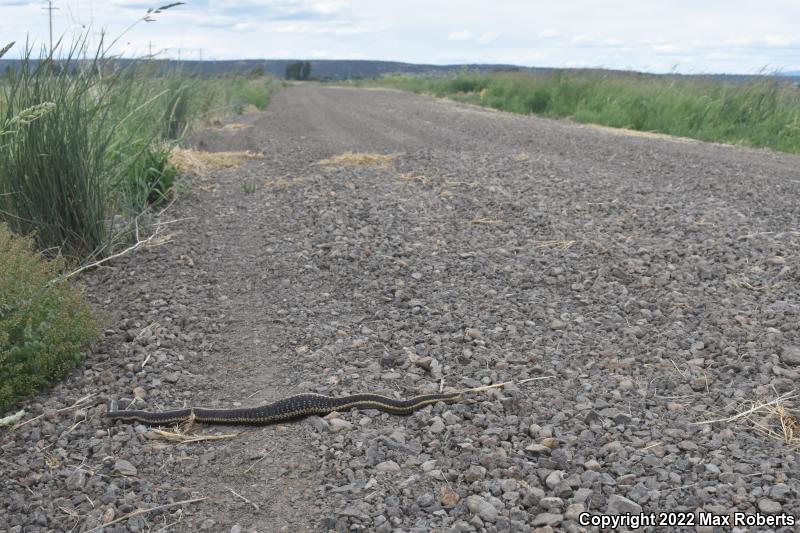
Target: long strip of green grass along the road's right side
[(764, 112)]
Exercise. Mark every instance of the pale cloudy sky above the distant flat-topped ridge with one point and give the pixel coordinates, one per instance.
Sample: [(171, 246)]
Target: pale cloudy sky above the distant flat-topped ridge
[(694, 36)]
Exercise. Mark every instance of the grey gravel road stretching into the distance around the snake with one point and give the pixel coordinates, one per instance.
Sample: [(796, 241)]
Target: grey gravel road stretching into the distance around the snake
[(651, 283)]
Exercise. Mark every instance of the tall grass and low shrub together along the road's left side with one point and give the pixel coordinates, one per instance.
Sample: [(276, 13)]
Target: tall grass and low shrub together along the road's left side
[(86, 152)]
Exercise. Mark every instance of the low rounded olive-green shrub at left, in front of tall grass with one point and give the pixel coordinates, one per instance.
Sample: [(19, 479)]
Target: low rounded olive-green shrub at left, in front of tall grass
[(44, 322)]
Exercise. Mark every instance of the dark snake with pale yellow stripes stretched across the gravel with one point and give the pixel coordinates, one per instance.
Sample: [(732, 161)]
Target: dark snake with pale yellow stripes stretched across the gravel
[(285, 410)]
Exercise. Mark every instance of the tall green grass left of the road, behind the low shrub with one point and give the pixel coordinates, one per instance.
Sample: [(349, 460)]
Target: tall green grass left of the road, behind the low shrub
[(79, 176)]
